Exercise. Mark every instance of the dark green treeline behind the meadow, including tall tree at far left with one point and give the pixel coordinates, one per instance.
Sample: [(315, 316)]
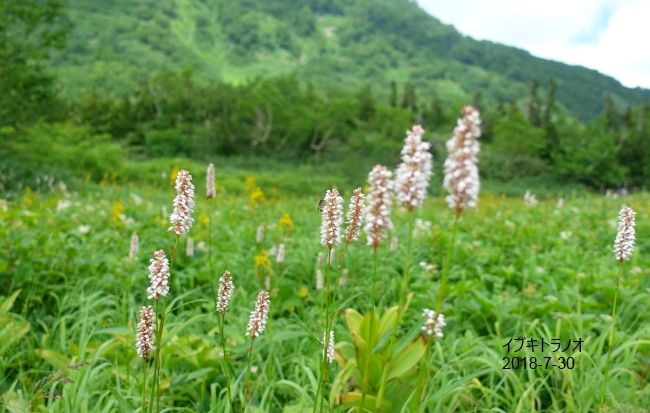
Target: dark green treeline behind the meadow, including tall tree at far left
[(284, 118)]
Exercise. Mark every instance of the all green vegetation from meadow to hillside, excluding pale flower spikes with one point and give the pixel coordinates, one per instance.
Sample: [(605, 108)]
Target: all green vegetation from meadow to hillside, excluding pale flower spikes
[(97, 116)]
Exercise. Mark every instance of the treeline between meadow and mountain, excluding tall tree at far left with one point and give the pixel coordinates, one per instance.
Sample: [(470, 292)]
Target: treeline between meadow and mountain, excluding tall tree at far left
[(172, 115)]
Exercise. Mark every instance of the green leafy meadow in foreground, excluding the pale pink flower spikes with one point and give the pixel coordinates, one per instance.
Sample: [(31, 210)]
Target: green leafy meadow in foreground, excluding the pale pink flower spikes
[(71, 296)]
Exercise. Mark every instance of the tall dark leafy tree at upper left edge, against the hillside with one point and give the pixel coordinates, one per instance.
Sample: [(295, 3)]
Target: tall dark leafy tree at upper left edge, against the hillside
[(29, 31)]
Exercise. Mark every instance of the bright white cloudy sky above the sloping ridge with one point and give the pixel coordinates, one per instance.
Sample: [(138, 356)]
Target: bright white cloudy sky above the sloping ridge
[(611, 36)]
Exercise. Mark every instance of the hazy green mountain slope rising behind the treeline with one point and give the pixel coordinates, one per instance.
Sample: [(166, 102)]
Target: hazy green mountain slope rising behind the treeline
[(116, 45)]
